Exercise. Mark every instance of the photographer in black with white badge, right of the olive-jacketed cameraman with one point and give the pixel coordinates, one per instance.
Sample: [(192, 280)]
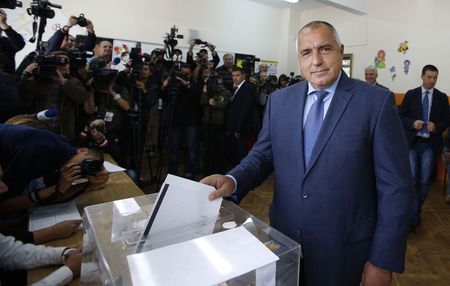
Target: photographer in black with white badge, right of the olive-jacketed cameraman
[(112, 105)]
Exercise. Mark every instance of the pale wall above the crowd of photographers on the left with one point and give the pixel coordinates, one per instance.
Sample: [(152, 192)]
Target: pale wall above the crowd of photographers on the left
[(239, 26)]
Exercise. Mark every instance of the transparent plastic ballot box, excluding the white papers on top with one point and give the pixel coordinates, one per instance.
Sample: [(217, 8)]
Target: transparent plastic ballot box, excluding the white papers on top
[(113, 231)]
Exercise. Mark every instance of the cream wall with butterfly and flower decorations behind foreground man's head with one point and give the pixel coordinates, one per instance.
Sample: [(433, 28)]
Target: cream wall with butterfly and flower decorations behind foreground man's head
[(423, 23)]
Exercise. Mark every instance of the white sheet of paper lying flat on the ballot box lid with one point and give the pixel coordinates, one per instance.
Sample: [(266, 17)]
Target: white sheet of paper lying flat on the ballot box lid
[(207, 260)]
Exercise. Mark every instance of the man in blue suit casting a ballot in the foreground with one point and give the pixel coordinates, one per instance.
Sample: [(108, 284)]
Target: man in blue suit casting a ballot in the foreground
[(345, 198)]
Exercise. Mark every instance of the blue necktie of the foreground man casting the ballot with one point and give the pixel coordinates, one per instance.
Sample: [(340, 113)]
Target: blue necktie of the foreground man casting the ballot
[(313, 124)]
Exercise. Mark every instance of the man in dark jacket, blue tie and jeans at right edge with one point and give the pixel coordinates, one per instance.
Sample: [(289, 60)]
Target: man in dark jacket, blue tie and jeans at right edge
[(425, 115)]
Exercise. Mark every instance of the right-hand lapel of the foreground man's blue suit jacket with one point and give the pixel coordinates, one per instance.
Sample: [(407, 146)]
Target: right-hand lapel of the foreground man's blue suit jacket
[(337, 107)]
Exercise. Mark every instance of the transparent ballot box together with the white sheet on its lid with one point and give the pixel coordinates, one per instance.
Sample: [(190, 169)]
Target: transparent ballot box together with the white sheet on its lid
[(116, 250)]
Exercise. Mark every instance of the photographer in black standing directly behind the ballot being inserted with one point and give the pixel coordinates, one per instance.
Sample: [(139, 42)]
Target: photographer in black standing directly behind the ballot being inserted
[(182, 93)]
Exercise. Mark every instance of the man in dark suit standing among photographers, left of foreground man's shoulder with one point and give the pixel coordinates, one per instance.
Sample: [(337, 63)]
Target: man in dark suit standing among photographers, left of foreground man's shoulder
[(239, 116)]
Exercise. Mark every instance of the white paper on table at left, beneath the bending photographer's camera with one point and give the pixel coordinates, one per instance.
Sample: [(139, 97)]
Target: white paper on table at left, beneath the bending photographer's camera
[(42, 217)]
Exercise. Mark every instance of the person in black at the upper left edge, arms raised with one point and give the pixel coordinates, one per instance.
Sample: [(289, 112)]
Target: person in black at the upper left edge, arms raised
[(11, 44)]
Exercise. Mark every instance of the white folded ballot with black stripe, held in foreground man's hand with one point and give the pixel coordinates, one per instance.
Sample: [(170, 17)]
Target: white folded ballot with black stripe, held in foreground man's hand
[(181, 202)]
